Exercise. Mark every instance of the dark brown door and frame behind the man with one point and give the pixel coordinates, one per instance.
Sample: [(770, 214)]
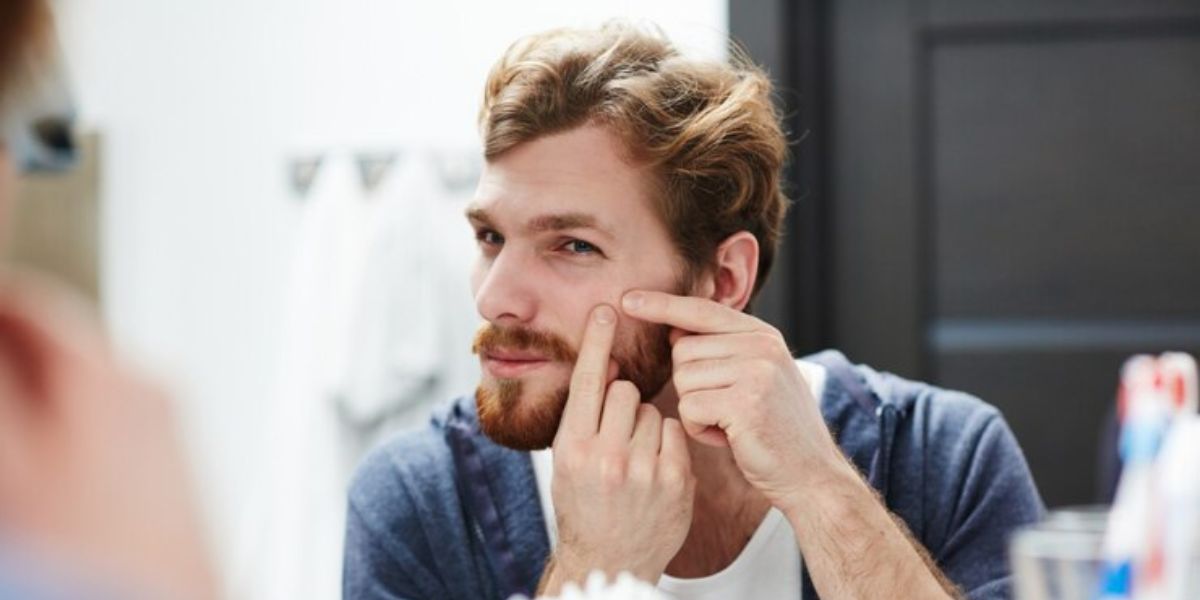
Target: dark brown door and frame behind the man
[(1011, 199)]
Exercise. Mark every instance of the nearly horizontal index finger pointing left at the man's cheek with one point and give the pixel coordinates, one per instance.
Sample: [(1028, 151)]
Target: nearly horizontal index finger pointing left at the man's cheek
[(691, 314)]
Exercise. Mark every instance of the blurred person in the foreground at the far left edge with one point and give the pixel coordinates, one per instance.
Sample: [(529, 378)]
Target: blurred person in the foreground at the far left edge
[(94, 495)]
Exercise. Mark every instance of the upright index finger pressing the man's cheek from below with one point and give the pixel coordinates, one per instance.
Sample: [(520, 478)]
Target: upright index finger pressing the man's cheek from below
[(590, 379)]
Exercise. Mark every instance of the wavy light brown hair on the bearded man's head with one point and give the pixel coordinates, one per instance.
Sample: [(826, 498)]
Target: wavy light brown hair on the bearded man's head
[(709, 130)]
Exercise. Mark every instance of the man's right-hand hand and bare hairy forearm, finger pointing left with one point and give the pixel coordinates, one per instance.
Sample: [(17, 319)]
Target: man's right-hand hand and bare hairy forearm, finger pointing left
[(740, 387)]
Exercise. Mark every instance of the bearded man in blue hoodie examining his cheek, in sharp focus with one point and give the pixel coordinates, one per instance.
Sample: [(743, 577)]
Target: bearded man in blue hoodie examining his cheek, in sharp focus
[(627, 218)]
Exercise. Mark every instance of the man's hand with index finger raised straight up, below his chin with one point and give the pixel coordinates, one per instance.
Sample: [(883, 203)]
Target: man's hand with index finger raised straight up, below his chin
[(623, 485)]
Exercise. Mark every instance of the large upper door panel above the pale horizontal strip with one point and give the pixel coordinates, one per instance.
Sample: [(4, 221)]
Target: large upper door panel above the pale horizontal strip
[(1066, 178)]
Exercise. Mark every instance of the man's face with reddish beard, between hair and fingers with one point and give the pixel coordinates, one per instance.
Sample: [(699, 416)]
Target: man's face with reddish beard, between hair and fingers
[(565, 224)]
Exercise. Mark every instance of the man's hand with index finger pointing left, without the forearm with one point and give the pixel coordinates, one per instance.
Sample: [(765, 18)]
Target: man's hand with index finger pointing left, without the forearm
[(740, 387)]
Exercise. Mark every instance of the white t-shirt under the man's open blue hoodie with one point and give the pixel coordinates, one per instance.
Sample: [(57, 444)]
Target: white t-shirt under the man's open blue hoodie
[(770, 565)]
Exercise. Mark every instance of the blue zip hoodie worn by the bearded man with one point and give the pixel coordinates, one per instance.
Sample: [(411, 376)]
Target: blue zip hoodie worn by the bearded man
[(446, 513)]
